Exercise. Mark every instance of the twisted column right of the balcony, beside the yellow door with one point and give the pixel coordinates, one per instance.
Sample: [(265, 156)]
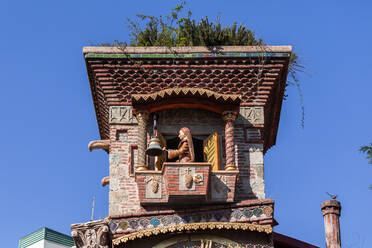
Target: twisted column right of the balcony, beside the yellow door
[(229, 118)]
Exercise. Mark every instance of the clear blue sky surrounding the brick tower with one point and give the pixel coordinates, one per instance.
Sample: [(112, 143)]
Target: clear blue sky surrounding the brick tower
[(47, 116)]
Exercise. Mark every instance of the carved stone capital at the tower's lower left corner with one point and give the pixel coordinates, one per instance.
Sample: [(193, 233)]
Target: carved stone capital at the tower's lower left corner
[(94, 234)]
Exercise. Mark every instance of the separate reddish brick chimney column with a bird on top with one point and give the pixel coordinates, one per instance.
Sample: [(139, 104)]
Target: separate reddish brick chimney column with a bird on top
[(331, 212)]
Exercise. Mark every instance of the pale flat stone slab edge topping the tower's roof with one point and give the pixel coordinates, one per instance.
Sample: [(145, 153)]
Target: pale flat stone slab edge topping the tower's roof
[(186, 50)]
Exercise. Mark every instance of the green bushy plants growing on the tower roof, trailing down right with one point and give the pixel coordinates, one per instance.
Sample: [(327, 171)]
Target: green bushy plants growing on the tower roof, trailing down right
[(179, 29)]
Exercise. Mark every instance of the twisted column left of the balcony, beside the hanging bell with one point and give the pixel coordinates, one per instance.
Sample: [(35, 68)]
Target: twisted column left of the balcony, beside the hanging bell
[(142, 117)]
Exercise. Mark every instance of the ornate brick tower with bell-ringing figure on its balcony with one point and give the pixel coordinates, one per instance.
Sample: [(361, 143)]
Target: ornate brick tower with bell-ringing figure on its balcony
[(206, 186)]
